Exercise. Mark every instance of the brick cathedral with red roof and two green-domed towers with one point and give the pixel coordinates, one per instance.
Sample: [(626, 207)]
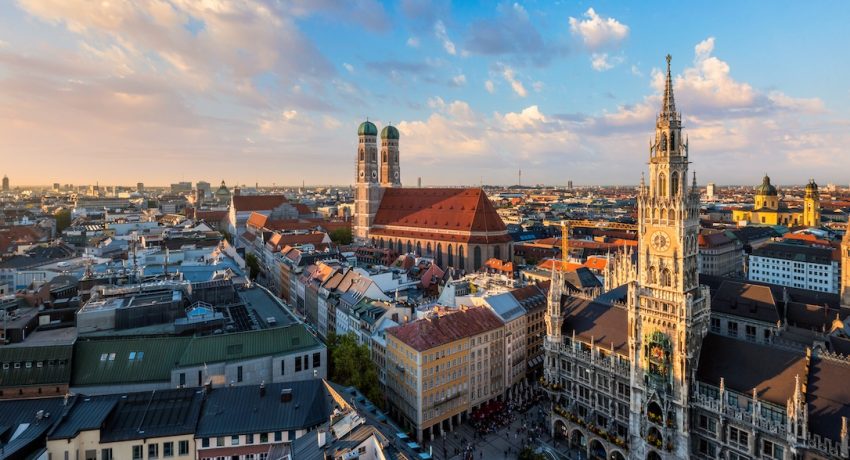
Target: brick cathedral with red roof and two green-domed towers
[(456, 227)]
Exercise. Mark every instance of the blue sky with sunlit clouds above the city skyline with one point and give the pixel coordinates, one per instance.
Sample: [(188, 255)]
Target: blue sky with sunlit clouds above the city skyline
[(248, 91)]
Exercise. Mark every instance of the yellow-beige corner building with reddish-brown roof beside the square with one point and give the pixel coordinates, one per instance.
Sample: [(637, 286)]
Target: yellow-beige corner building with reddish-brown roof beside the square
[(440, 368)]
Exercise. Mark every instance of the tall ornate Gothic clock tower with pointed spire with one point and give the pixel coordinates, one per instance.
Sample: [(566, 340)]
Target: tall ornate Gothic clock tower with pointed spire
[(668, 311)]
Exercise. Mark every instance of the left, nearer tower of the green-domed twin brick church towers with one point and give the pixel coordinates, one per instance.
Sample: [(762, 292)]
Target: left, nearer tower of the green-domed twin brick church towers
[(367, 195)]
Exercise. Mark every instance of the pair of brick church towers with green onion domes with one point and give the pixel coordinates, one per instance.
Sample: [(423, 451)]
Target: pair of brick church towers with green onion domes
[(374, 173)]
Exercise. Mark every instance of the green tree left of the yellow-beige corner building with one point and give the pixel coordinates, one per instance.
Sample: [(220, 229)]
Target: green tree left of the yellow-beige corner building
[(351, 365)]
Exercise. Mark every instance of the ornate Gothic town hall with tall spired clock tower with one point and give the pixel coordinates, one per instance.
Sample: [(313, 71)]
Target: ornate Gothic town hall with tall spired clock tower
[(668, 367)]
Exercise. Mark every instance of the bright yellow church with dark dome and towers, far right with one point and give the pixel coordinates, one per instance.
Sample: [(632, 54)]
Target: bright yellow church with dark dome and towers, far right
[(769, 210)]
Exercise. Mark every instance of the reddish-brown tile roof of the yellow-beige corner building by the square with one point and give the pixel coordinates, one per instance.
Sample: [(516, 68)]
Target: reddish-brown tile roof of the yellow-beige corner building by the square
[(428, 333)]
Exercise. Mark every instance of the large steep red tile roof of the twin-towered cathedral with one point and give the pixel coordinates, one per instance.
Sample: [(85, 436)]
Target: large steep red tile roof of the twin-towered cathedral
[(431, 210)]
